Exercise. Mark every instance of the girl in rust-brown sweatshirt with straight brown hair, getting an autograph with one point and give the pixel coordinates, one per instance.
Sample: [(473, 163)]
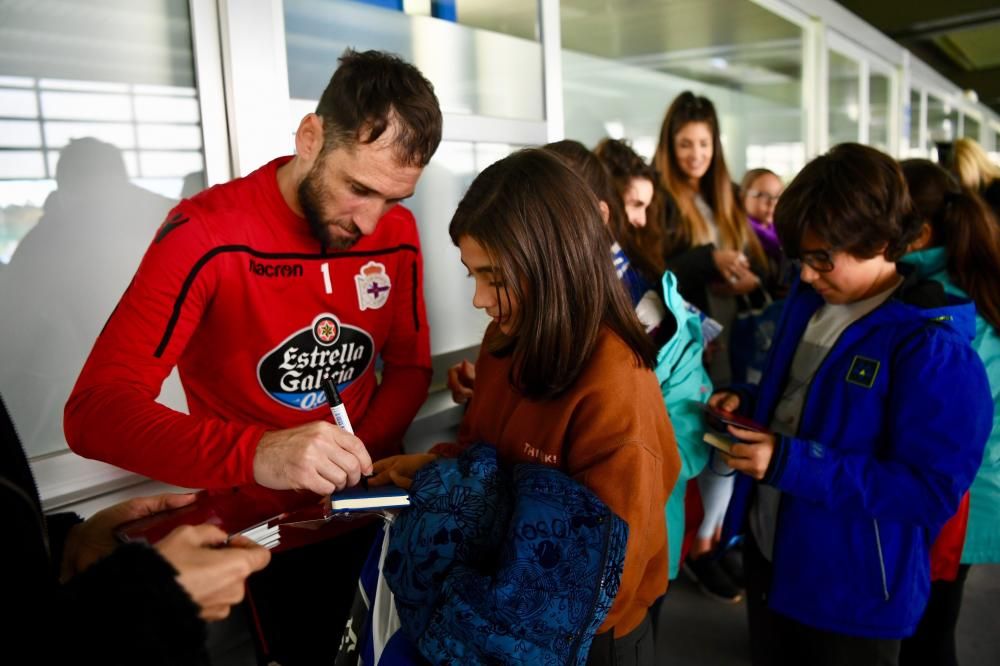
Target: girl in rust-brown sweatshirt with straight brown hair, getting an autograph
[(564, 376)]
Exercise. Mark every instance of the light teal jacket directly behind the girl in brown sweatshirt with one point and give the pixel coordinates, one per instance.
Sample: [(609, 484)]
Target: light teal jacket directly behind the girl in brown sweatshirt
[(683, 380)]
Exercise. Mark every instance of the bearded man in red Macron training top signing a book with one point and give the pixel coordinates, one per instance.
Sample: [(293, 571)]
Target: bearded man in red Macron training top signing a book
[(259, 289)]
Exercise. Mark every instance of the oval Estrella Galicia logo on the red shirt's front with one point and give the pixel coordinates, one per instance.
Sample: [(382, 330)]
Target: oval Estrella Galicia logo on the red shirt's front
[(292, 373)]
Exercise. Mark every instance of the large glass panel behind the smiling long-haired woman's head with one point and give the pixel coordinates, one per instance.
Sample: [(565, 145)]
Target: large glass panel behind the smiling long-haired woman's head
[(623, 63)]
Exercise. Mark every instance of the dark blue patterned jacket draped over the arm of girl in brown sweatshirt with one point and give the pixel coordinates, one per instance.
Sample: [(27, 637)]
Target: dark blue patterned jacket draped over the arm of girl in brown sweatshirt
[(494, 567)]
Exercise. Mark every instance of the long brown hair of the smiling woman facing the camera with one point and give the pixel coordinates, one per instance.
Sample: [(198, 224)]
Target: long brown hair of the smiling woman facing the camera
[(716, 186)]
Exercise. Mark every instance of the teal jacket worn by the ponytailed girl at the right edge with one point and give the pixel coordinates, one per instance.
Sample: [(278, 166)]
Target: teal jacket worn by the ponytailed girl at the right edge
[(982, 540)]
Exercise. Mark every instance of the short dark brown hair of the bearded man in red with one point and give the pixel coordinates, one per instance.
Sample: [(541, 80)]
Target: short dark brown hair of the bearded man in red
[(371, 91)]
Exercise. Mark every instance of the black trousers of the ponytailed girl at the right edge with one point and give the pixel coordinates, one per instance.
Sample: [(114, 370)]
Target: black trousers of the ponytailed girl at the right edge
[(934, 642)]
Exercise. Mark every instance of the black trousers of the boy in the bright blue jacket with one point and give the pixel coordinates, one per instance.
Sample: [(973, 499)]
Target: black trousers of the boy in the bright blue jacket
[(777, 640)]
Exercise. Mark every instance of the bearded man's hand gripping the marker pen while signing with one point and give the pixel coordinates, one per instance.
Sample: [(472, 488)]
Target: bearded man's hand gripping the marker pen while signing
[(317, 456)]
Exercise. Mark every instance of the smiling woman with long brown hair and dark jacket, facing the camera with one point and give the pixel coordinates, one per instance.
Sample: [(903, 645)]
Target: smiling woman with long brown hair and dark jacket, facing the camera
[(710, 247)]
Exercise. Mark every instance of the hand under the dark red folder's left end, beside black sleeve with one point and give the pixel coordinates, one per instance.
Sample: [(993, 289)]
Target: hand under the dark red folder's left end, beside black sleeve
[(95, 538)]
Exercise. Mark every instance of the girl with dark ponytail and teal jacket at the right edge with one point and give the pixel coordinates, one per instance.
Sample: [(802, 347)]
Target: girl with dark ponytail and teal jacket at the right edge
[(956, 242)]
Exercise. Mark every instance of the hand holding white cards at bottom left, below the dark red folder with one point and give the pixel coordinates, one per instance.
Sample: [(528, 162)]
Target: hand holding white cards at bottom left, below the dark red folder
[(213, 576)]
